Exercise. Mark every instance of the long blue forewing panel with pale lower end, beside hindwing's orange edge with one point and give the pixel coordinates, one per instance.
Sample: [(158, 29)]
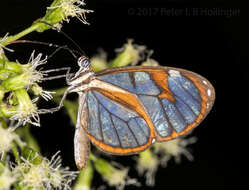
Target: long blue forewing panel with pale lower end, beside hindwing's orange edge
[(156, 112)]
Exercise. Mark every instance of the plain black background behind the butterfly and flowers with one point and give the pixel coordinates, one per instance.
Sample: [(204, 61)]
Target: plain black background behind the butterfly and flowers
[(213, 46)]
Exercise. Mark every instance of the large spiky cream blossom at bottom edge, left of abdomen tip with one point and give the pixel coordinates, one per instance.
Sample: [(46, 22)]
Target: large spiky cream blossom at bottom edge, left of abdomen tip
[(49, 174)]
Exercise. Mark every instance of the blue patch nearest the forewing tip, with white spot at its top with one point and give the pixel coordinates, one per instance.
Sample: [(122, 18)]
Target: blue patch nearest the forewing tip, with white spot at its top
[(186, 93)]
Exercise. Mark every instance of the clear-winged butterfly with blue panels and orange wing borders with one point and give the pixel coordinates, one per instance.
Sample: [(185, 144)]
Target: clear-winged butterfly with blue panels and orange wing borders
[(125, 110)]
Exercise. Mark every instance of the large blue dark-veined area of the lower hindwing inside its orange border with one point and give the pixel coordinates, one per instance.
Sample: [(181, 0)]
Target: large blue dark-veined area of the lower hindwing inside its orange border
[(114, 124)]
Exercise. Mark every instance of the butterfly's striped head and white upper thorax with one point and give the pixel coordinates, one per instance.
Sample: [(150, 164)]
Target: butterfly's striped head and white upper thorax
[(84, 74)]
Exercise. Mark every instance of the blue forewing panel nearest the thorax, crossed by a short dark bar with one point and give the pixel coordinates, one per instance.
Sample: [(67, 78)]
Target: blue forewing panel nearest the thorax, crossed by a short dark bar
[(134, 82)]
